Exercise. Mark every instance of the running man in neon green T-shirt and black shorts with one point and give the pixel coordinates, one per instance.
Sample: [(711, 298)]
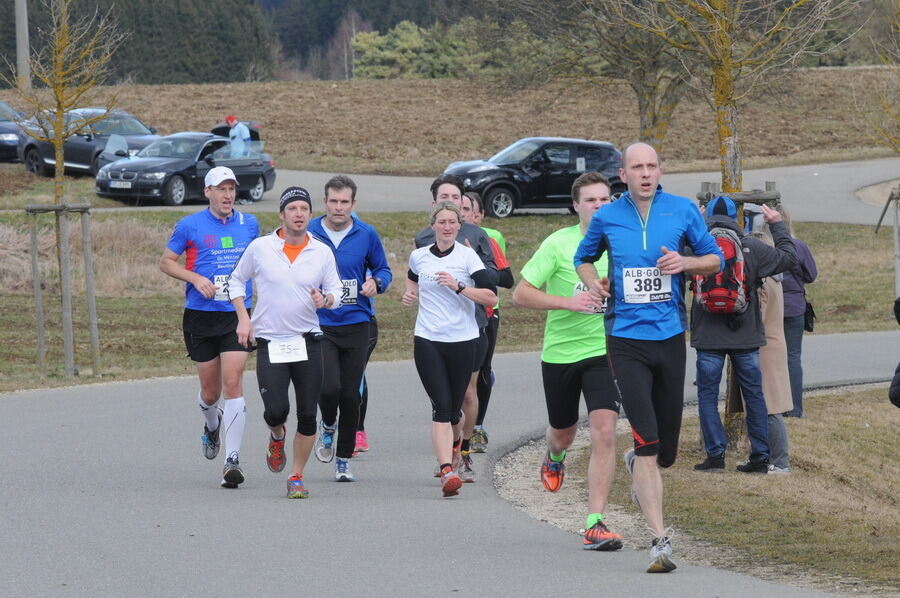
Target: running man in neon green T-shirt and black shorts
[(573, 359)]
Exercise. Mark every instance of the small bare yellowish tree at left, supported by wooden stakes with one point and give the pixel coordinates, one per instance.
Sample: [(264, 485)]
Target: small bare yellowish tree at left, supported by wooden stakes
[(73, 60)]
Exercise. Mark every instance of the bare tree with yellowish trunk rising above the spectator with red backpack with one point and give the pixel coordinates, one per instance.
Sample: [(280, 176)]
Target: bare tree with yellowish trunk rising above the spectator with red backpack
[(728, 48)]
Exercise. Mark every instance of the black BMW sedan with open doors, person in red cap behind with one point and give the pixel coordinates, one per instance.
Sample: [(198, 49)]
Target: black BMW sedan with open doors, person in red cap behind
[(172, 170)]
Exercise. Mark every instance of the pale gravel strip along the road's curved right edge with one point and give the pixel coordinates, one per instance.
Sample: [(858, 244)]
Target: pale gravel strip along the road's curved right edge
[(516, 480)]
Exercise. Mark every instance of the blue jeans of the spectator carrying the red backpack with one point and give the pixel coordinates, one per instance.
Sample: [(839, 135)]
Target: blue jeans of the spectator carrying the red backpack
[(709, 374)]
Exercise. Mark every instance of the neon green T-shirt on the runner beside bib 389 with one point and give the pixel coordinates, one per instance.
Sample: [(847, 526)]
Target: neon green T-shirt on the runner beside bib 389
[(568, 336)]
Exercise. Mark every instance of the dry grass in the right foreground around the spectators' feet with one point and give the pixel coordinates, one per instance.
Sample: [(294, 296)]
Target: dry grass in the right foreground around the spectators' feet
[(836, 513)]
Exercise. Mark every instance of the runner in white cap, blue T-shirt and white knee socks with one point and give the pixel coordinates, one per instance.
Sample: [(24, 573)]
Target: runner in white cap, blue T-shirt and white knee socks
[(212, 241)]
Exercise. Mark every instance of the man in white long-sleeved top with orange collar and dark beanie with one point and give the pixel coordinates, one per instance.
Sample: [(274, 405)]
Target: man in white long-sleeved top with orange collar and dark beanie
[(295, 274)]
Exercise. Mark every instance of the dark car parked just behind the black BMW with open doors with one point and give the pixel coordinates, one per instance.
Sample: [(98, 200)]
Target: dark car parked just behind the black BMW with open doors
[(81, 152)]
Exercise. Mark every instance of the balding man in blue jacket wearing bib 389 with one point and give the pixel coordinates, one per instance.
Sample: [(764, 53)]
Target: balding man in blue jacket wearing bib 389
[(644, 232)]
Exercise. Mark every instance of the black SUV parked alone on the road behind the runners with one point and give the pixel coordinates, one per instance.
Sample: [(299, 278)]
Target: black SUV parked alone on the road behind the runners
[(537, 172)]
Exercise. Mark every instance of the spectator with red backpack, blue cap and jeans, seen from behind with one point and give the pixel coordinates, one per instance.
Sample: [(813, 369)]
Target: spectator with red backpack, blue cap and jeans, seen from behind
[(726, 320)]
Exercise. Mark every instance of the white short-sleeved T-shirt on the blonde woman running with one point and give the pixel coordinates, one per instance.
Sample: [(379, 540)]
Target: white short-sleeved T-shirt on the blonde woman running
[(443, 315)]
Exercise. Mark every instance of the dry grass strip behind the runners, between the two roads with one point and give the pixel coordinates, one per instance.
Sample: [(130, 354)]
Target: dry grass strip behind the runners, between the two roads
[(140, 309)]
